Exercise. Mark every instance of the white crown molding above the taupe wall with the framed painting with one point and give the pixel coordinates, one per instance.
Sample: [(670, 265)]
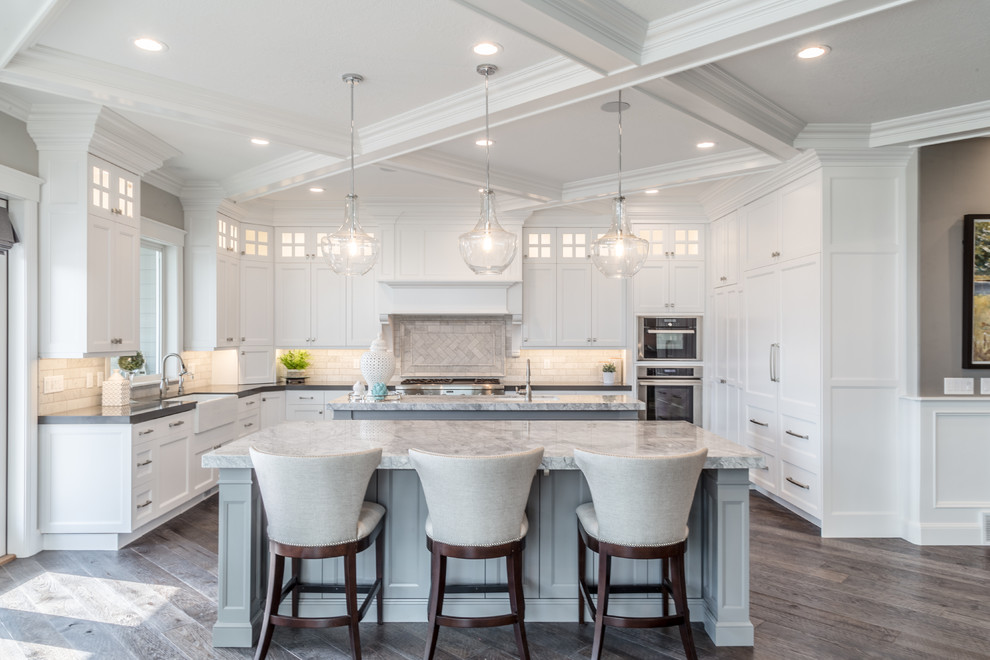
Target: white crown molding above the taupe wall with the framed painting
[(946, 125)]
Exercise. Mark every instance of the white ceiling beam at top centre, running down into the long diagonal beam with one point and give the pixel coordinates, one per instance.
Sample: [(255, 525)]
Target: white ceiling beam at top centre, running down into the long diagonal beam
[(600, 34)]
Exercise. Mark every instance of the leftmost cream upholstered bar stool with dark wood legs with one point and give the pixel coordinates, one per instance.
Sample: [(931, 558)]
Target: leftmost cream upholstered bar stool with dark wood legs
[(316, 510)]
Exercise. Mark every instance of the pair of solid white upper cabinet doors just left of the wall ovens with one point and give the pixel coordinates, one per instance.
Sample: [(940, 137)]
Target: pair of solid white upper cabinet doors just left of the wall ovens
[(590, 307)]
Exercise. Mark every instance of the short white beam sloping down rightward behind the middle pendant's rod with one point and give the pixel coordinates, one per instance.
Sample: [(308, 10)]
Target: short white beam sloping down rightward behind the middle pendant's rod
[(460, 170)]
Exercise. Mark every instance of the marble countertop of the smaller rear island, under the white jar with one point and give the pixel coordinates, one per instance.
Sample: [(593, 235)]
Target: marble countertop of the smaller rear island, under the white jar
[(507, 402)]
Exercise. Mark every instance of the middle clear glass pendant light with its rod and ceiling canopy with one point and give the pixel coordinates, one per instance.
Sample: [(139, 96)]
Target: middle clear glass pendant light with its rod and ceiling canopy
[(488, 249)]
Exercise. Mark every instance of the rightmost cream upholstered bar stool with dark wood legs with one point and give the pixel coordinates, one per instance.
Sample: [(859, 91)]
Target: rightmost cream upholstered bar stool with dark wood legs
[(639, 510)]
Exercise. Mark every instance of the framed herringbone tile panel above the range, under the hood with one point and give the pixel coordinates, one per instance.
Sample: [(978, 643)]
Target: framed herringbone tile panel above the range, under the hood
[(471, 346)]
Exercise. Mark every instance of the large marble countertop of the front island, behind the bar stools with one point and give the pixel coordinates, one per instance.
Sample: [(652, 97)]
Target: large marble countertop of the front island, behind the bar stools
[(559, 438)]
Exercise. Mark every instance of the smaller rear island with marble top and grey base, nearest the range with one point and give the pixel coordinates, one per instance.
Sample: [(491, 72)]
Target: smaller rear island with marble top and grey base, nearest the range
[(501, 406)]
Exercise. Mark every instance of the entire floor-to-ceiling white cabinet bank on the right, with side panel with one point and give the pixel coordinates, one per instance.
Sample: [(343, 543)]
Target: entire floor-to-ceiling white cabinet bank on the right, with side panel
[(820, 316)]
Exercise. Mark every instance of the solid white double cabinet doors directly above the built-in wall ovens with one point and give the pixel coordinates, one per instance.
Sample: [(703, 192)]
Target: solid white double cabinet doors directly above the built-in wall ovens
[(669, 286)]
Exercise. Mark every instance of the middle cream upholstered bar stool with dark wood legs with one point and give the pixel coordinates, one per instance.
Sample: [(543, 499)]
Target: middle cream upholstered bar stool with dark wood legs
[(477, 510)]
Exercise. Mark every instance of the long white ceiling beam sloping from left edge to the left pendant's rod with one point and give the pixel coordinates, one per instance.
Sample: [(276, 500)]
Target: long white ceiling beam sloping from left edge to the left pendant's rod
[(54, 71)]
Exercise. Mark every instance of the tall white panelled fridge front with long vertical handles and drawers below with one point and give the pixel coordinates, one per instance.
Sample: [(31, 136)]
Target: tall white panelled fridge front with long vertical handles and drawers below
[(782, 386)]
